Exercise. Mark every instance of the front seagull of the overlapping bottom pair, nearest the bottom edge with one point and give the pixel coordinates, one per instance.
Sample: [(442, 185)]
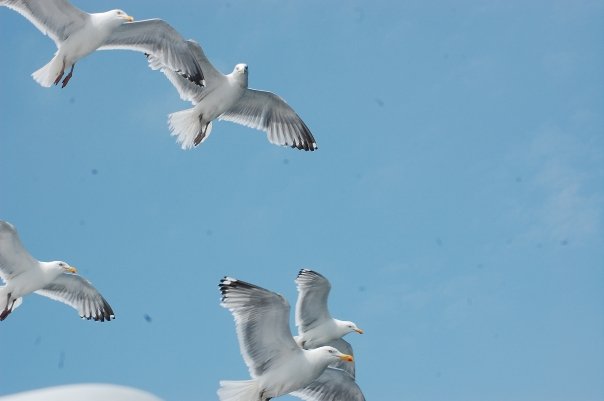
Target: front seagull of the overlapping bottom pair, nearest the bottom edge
[(276, 363)]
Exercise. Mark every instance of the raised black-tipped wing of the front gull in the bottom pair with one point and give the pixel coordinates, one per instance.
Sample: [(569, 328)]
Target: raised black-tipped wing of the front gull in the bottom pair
[(261, 319)]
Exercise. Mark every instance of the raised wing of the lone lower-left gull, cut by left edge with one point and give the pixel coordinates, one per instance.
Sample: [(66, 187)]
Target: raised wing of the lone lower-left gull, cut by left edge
[(14, 259)]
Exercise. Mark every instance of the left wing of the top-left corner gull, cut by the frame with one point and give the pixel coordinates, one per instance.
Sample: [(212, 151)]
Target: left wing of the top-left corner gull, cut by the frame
[(56, 18)]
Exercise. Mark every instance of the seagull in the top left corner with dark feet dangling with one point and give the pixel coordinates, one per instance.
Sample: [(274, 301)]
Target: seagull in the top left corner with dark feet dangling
[(77, 34)]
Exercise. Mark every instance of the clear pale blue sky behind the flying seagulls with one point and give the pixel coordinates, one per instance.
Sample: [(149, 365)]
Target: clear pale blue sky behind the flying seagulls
[(455, 201)]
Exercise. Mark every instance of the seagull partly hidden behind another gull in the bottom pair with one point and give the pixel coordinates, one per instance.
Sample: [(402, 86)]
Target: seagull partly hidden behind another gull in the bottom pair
[(315, 325)]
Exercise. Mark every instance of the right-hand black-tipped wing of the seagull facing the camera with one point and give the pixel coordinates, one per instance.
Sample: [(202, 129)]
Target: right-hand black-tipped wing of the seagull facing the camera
[(268, 112)]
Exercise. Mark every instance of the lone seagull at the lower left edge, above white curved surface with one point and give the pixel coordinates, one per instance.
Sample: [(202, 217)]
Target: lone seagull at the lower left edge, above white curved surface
[(56, 280)]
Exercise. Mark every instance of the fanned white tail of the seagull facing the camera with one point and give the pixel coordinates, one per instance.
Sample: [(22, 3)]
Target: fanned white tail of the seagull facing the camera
[(189, 128)]
